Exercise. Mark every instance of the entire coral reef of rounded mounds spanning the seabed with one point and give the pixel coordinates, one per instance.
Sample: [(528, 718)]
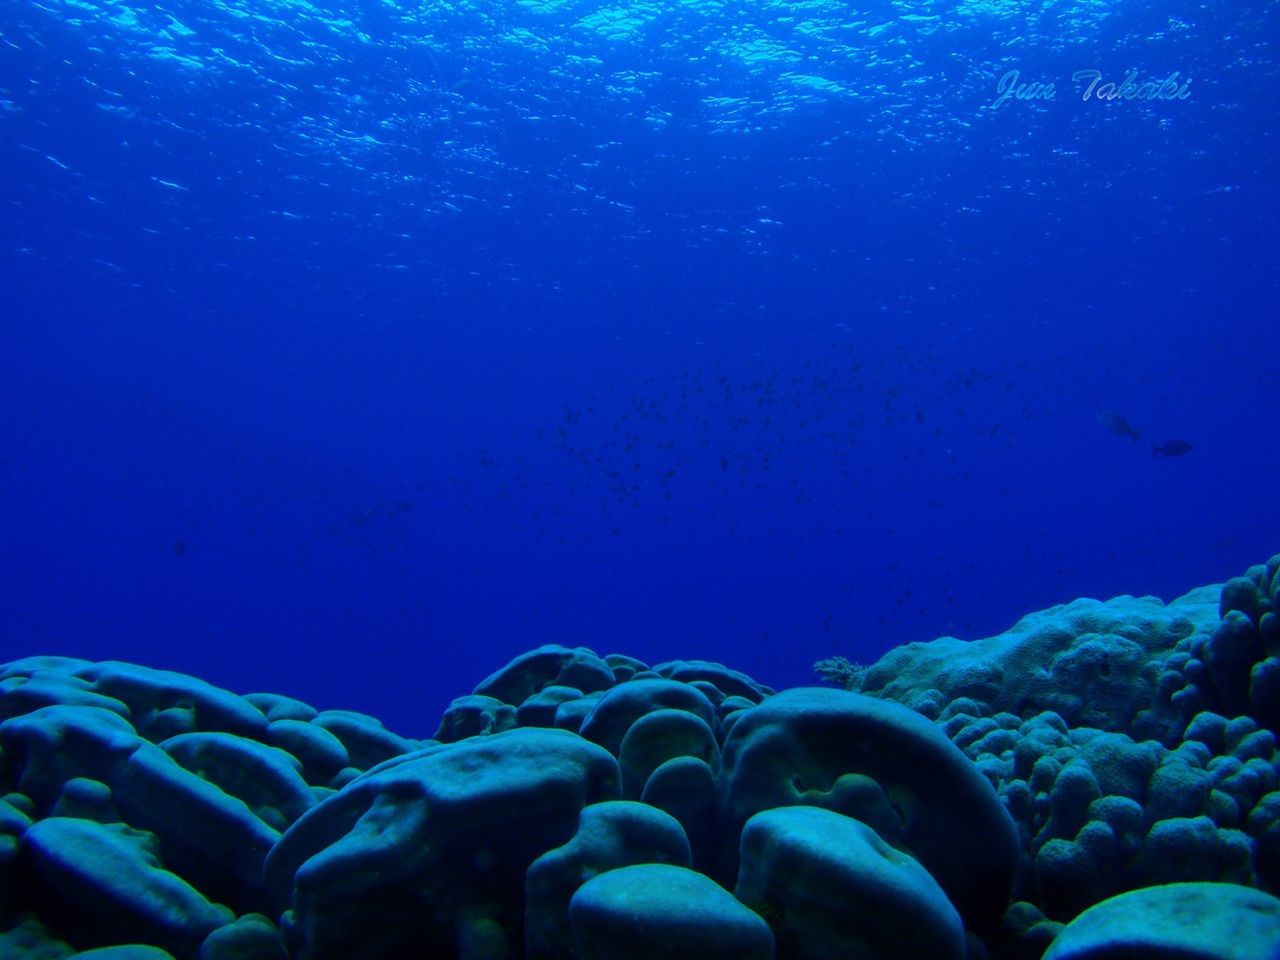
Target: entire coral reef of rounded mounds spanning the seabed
[(1100, 781)]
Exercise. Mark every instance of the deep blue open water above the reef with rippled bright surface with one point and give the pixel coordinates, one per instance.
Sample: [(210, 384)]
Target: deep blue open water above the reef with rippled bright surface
[(349, 351)]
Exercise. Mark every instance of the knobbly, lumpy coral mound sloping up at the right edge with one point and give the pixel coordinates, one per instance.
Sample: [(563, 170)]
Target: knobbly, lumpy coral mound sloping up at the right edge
[(1135, 743)]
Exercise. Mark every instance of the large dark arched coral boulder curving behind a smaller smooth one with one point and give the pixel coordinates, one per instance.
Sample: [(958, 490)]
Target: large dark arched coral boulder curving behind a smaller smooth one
[(886, 766)]
